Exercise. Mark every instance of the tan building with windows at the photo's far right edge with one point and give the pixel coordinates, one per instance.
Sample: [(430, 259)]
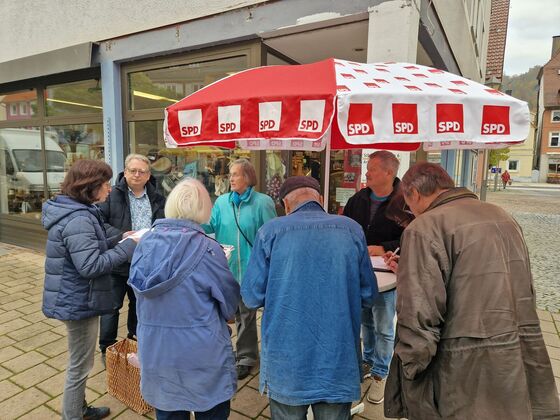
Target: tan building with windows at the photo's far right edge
[(548, 118)]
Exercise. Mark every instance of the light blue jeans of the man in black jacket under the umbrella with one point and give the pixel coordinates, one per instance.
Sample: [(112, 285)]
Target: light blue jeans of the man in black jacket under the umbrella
[(378, 333)]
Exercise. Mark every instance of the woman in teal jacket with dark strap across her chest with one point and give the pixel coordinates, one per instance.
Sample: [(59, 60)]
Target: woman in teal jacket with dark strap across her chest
[(236, 218)]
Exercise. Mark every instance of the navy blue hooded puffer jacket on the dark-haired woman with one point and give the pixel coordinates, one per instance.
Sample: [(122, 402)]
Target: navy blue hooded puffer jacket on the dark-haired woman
[(78, 261)]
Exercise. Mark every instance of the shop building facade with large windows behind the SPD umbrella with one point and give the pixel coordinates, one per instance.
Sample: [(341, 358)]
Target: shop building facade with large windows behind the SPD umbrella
[(97, 85)]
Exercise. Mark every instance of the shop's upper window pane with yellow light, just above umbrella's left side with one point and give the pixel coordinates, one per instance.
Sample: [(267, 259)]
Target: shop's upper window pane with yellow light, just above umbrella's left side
[(159, 88)]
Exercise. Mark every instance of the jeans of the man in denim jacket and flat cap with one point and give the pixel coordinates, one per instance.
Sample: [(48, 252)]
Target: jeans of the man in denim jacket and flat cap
[(321, 411)]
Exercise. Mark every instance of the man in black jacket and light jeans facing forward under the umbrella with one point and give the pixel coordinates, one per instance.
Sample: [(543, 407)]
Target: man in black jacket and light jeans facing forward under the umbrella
[(369, 207)]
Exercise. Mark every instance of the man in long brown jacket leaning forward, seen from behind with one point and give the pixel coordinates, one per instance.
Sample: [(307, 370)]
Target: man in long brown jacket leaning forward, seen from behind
[(469, 344)]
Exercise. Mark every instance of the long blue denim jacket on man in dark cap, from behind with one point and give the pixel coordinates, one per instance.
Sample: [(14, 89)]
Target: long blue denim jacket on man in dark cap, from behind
[(312, 274)]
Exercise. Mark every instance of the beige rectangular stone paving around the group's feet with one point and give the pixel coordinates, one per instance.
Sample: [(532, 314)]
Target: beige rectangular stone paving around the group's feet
[(33, 353)]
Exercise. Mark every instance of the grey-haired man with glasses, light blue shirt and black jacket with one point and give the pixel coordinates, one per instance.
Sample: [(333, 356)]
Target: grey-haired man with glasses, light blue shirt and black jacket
[(133, 204)]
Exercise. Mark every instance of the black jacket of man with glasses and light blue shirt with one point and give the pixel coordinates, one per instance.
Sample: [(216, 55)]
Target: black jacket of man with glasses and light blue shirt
[(116, 211)]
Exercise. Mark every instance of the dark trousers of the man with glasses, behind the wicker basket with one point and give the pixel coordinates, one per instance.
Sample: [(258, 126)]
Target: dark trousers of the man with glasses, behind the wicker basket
[(109, 324)]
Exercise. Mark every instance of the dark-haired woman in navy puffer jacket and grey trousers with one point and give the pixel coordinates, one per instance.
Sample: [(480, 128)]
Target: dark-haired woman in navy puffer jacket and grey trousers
[(77, 284)]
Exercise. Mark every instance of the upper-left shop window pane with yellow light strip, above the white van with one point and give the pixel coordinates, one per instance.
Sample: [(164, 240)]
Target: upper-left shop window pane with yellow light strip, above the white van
[(77, 98)]
